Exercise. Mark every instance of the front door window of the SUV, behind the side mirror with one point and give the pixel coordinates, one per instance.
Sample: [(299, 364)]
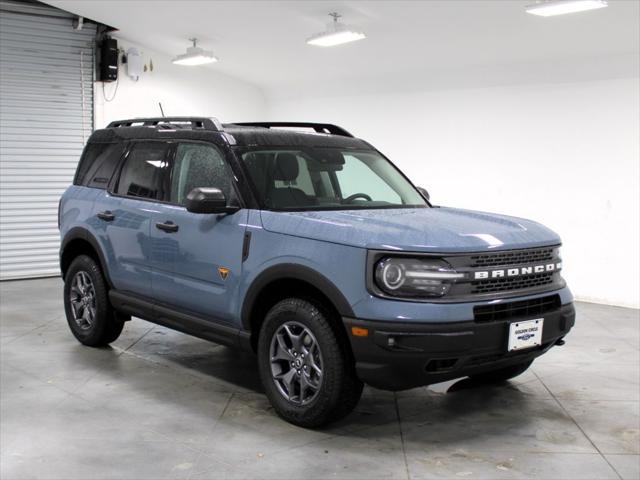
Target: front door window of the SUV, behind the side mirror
[(198, 165)]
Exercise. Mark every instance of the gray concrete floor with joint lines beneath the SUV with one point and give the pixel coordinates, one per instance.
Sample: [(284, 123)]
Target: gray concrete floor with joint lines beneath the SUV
[(159, 404)]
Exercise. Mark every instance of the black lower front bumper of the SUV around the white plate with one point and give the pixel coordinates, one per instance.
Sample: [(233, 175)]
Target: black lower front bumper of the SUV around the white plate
[(398, 356)]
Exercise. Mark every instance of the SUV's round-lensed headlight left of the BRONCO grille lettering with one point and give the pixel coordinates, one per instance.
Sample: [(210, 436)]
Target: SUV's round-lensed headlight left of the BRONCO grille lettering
[(415, 277)]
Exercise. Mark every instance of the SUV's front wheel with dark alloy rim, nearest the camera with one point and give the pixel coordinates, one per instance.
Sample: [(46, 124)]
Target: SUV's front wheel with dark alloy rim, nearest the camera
[(305, 366)]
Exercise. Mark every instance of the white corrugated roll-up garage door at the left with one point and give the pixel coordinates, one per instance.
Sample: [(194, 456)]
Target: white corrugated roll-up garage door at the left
[(46, 115)]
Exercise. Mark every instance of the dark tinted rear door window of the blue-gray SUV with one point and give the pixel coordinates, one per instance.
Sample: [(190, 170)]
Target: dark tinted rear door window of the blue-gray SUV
[(144, 171)]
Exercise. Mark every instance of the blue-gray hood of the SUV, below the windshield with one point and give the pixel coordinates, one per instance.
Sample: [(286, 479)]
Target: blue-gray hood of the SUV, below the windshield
[(443, 230)]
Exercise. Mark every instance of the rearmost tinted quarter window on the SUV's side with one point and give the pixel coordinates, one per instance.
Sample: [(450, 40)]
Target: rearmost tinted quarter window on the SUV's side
[(98, 162)]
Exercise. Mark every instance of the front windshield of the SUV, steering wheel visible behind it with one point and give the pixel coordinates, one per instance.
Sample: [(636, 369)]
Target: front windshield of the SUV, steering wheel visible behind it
[(327, 178)]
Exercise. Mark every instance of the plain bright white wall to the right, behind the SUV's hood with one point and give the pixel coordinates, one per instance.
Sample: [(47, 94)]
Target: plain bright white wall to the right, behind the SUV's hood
[(566, 155)]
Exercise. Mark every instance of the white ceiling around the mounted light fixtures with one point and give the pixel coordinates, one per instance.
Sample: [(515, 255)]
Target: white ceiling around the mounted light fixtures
[(410, 44)]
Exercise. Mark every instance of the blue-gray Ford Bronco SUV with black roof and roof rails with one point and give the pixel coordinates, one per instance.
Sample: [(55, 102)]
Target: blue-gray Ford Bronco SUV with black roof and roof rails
[(307, 246)]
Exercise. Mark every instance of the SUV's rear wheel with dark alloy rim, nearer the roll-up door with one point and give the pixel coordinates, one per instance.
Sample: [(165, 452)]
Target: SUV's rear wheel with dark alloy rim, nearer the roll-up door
[(90, 316)]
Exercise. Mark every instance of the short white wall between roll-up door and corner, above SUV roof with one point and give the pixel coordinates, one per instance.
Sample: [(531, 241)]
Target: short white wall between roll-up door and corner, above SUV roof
[(198, 91)]
